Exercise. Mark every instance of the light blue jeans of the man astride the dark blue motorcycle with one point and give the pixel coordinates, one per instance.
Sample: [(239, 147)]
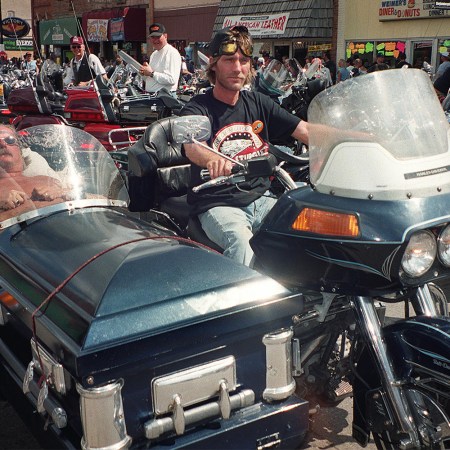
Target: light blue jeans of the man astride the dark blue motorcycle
[(232, 227)]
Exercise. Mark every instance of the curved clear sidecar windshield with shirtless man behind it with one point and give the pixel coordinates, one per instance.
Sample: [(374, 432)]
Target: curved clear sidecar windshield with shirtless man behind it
[(52, 168)]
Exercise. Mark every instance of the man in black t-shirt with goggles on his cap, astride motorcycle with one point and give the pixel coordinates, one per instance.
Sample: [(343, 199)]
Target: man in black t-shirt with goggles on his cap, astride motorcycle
[(243, 123)]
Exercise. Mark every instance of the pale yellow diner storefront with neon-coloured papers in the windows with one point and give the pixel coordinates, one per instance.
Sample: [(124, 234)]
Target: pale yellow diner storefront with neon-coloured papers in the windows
[(414, 27)]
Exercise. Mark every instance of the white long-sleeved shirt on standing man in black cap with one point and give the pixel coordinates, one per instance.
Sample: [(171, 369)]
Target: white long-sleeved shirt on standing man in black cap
[(166, 64)]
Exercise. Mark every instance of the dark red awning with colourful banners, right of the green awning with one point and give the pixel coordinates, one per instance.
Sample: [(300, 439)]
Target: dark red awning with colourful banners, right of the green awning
[(115, 24)]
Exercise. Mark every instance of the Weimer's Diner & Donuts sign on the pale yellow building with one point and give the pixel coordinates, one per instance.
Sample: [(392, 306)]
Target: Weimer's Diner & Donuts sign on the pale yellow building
[(410, 9)]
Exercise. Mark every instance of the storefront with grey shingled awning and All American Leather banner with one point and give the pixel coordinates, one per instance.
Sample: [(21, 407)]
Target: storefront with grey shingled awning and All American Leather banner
[(293, 29)]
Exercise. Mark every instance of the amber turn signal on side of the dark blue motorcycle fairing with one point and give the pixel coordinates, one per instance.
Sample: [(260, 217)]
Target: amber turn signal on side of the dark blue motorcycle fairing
[(326, 223)]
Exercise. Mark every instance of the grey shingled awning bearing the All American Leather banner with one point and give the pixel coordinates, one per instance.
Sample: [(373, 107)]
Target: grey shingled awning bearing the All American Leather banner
[(279, 20)]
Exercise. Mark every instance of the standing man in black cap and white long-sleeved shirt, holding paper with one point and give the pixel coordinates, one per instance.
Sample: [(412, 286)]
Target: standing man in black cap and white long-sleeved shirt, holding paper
[(164, 68)]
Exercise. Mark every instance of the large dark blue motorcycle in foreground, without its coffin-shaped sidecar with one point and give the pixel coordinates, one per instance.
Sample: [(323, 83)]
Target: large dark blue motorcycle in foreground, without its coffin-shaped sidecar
[(371, 227)]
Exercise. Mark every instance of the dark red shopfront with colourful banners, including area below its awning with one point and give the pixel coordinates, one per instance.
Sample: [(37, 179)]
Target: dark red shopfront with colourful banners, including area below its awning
[(110, 30)]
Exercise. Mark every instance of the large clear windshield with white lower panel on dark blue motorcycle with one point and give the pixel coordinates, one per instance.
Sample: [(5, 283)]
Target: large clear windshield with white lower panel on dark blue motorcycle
[(383, 135)]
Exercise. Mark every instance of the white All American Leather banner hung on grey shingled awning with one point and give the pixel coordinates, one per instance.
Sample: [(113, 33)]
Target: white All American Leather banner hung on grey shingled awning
[(263, 25)]
